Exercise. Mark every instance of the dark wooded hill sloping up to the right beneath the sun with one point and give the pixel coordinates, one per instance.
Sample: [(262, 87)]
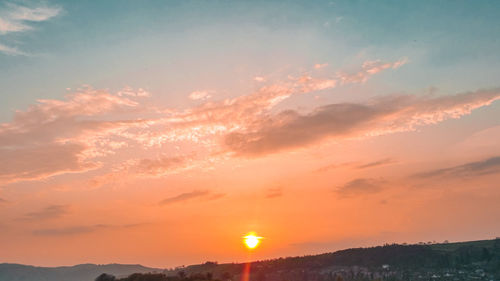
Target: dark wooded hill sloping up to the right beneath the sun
[(473, 256)]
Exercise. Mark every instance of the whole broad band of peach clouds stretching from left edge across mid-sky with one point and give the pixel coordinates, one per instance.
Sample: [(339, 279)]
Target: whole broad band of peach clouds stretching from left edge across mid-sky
[(76, 134)]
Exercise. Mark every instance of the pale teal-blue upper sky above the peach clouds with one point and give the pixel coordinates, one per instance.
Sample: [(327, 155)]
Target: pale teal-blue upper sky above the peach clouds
[(452, 44)]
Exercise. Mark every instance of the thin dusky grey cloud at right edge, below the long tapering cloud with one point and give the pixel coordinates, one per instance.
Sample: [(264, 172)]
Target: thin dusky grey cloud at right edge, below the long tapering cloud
[(472, 169)]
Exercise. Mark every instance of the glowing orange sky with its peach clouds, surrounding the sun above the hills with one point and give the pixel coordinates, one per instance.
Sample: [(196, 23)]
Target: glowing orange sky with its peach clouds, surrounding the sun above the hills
[(91, 180)]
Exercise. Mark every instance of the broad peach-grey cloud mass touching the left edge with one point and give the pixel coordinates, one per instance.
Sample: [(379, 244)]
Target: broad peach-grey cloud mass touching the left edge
[(61, 136)]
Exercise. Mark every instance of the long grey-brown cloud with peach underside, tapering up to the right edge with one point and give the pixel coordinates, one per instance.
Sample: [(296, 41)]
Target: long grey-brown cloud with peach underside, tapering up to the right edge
[(291, 130)]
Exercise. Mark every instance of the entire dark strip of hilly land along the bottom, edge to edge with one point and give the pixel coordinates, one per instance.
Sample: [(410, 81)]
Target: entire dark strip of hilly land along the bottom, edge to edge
[(476, 260)]
